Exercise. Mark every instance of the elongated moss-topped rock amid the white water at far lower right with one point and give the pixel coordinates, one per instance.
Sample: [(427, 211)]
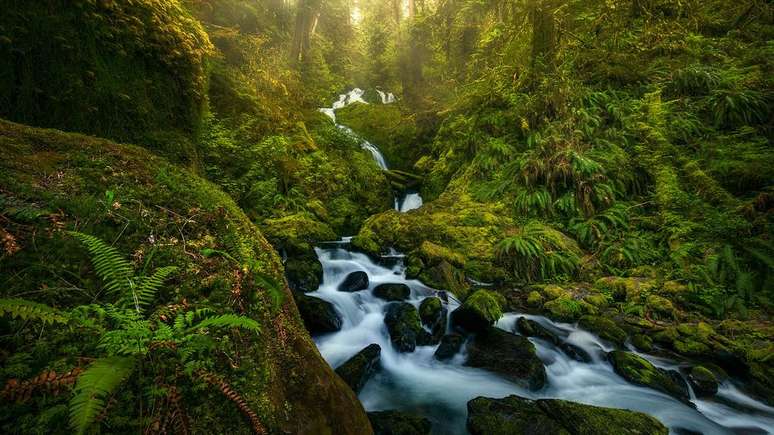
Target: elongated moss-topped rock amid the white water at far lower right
[(638, 370)]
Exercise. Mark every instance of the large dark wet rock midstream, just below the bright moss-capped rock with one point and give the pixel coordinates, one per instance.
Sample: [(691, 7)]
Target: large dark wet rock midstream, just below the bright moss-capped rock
[(512, 356)]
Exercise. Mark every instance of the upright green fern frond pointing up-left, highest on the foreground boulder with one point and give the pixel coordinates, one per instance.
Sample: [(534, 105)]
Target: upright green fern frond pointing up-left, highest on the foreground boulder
[(109, 264)]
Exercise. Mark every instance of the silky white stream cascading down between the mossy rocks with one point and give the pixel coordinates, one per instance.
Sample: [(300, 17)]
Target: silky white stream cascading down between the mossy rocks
[(418, 383)]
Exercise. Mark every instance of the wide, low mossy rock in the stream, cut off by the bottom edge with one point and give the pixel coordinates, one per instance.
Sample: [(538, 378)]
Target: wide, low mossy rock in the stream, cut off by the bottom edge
[(516, 415)]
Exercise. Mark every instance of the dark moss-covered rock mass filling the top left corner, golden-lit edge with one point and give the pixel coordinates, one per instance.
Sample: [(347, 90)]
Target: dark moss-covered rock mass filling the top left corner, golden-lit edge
[(130, 71)]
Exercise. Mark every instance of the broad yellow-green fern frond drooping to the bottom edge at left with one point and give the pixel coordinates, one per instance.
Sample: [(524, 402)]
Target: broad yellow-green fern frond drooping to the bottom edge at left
[(93, 387)]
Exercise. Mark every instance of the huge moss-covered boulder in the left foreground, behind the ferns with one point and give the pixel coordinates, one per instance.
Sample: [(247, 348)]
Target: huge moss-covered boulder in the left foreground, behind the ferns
[(160, 215)]
